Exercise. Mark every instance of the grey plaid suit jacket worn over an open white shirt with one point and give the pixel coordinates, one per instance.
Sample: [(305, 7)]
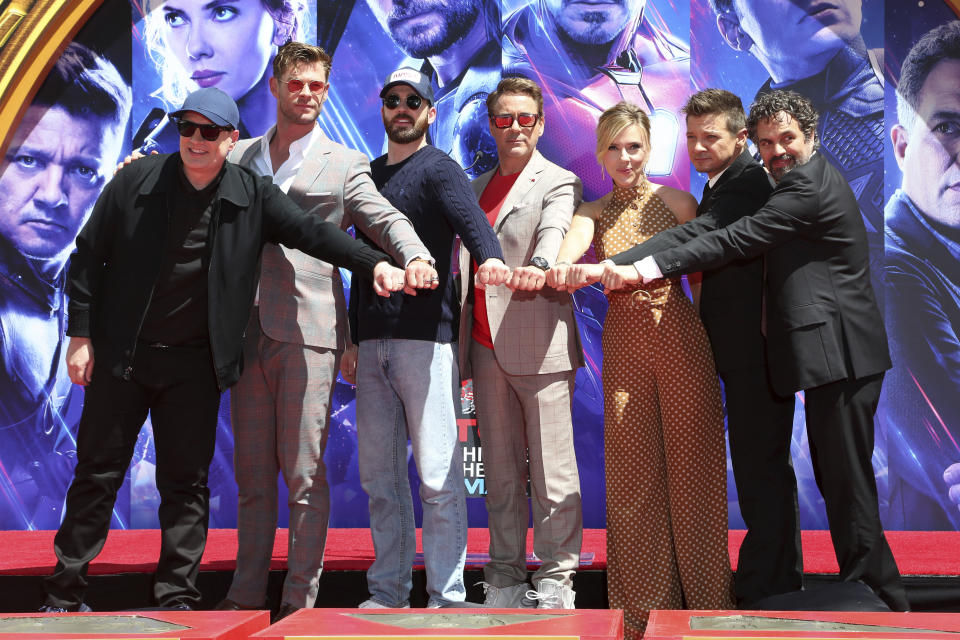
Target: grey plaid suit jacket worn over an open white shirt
[(301, 298)]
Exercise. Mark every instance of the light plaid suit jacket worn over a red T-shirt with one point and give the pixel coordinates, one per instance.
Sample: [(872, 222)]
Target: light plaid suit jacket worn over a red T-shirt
[(533, 331)]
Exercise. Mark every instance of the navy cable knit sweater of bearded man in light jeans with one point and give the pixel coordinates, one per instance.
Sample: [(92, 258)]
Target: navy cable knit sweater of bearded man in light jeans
[(433, 191)]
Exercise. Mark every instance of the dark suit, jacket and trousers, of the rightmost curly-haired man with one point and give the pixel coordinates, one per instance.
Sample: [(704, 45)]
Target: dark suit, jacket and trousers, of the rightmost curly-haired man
[(825, 336)]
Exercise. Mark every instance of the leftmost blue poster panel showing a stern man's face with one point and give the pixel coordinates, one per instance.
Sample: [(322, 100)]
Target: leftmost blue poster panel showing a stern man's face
[(57, 162)]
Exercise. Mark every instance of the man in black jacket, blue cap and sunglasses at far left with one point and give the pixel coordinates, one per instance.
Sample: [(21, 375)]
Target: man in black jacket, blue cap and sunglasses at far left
[(161, 286)]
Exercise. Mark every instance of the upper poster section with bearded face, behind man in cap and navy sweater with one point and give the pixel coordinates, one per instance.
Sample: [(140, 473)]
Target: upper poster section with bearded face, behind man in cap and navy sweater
[(455, 42)]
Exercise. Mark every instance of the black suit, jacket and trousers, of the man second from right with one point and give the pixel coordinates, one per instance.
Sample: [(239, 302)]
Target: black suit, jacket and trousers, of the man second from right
[(759, 422)]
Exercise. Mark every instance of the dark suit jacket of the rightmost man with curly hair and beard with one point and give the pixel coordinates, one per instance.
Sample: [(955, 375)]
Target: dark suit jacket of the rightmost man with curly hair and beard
[(823, 324)]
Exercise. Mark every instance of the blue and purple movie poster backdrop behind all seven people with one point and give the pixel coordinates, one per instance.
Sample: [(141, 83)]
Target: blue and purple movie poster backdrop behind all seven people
[(150, 53)]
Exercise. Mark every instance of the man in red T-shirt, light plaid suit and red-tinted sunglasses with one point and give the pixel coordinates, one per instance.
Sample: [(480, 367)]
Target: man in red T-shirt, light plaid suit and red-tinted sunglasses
[(522, 347)]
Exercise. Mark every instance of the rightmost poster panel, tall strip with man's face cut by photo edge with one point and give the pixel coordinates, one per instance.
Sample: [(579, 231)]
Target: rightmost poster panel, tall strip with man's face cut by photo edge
[(922, 266)]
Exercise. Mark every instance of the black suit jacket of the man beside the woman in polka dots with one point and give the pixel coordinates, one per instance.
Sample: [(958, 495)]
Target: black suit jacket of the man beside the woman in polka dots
[(731, 296)]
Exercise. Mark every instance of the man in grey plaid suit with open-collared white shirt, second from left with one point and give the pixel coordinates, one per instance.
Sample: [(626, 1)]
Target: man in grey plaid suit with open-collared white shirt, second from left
[(298, 331)]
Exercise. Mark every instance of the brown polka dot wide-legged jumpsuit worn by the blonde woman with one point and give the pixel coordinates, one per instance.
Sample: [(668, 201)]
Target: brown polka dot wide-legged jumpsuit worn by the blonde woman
[(664, 447)]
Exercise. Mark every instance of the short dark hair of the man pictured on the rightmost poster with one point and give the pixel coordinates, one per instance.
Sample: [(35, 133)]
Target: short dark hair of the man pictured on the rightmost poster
[(941, 43)]
